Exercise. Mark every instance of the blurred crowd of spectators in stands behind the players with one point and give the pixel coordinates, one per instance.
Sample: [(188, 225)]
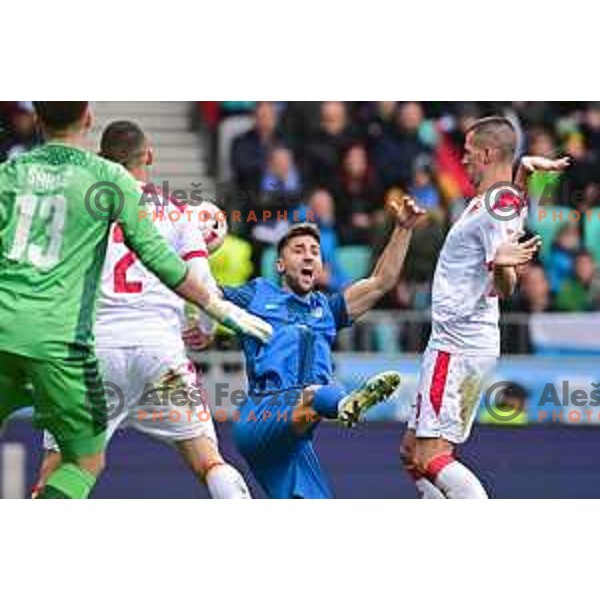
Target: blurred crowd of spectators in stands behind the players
[(342, 159)]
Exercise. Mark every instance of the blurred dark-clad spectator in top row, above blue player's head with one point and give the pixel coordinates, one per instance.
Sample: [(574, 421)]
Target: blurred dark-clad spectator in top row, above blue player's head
[(324, 151)]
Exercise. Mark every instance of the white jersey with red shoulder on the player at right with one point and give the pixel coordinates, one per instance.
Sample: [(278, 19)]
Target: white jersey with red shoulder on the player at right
[(465, 309)]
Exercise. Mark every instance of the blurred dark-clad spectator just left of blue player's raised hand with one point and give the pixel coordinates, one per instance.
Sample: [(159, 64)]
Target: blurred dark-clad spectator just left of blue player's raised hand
[(358, 197)]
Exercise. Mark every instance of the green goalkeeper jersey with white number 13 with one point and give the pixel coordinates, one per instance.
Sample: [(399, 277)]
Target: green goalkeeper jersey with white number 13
[(57, 204)]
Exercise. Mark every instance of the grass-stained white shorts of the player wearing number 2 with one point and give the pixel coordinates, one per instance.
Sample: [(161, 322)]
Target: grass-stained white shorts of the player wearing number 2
[(155, 391)]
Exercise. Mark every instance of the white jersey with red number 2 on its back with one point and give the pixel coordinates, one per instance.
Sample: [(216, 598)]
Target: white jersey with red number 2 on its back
[(134, 307)]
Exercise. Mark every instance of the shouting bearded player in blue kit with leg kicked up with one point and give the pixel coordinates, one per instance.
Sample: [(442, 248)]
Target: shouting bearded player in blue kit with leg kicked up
[(290, 381)]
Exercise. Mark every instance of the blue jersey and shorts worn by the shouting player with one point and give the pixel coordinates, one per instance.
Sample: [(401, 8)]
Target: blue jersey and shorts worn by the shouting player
[(297, 356)]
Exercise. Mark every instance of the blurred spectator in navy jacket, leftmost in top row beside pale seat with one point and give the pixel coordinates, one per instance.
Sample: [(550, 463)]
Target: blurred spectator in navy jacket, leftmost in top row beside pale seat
[(250, 150)]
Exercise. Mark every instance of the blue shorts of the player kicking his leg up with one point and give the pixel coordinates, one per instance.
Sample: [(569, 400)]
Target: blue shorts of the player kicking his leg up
[(283, 462)]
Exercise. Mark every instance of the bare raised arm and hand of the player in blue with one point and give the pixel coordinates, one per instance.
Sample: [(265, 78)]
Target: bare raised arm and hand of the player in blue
[(366, 293)]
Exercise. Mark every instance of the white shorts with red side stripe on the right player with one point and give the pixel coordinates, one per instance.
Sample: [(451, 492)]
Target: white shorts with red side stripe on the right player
[(448, 394)]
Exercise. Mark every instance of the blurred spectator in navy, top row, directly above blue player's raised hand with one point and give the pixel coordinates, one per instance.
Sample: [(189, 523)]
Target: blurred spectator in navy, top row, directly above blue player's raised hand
[(396, 151)]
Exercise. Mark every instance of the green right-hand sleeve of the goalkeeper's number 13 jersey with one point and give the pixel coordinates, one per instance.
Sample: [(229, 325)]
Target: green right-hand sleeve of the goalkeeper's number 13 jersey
[(142, 236)]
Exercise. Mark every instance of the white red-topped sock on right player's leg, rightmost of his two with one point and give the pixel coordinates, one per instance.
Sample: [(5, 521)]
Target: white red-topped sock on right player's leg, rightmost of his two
[(454, 479)]
